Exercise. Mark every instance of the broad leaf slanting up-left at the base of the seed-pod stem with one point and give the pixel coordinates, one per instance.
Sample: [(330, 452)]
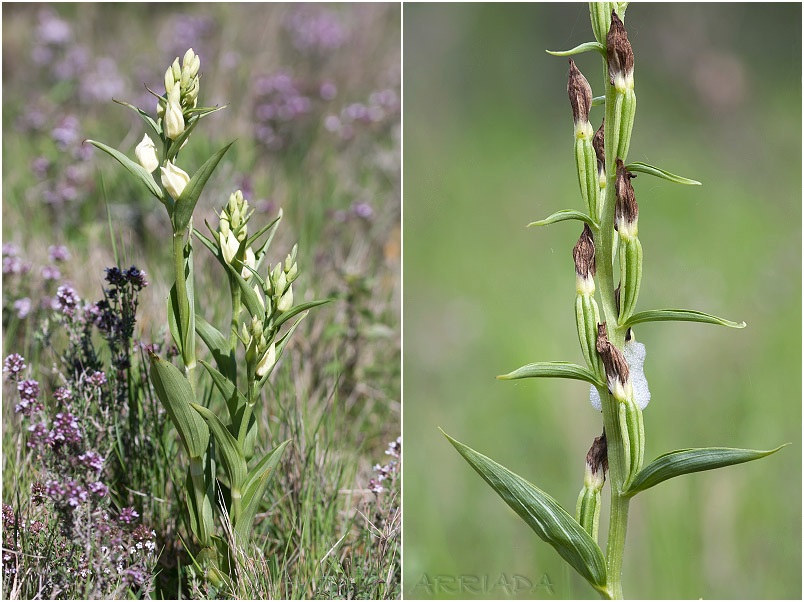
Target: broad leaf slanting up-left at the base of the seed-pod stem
[(543, 514)]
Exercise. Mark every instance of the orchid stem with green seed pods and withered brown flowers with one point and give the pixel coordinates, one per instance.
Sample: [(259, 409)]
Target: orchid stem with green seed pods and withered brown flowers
[(608, 250)]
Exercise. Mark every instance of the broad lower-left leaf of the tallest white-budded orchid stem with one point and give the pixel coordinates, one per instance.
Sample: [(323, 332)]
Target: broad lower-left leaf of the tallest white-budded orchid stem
[(176, 394)]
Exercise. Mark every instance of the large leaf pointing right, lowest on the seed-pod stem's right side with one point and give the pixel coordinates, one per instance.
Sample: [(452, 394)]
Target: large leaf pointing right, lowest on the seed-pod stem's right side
[(685, 461)]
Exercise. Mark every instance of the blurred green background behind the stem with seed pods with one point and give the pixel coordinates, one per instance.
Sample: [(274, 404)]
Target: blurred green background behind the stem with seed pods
[(488, 148)]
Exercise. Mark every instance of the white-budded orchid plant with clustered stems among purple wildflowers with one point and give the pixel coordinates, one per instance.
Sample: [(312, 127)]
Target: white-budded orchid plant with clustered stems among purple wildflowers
[(234, 494)]
